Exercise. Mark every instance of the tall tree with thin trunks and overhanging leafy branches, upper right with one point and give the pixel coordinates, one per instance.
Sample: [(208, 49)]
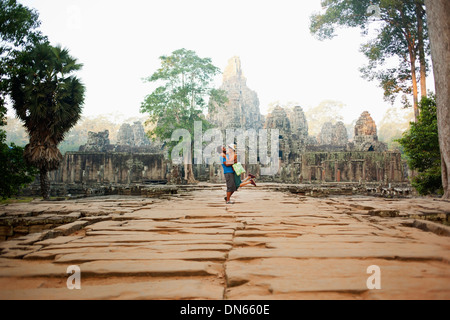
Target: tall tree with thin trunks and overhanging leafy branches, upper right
[(402, 35)]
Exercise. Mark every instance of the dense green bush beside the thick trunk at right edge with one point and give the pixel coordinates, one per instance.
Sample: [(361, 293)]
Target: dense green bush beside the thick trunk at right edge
[(421, 145)]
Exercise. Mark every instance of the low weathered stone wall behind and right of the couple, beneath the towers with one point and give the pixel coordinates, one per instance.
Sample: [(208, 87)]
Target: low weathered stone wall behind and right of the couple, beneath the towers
[(325, 167)]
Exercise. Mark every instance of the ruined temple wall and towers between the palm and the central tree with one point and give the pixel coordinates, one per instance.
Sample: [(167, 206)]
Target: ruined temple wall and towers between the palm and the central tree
[(133, 159)]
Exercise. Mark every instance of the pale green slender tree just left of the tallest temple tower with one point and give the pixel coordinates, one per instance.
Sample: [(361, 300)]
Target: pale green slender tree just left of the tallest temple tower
[(184, 84)]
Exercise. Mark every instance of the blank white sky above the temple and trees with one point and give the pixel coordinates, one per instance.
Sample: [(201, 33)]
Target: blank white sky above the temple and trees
[(120, 42)]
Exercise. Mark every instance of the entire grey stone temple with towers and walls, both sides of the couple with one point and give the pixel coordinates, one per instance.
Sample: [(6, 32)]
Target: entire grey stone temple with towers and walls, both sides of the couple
[(303, 159)]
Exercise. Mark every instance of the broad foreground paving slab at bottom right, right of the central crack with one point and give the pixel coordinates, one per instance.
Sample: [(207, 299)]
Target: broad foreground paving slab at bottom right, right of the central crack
[(284, 277)]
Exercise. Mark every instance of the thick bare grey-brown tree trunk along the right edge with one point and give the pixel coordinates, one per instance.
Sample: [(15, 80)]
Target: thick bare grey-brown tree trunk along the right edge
[(438, 12)]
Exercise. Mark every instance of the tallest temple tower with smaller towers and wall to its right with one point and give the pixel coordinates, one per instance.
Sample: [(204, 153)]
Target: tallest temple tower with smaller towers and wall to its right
[(329, 157)]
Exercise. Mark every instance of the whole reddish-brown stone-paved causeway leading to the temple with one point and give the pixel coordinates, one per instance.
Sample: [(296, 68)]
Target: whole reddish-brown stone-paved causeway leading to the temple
[(268, 245)]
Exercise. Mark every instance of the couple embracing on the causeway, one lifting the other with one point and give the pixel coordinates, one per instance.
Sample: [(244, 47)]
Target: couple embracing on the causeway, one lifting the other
[(228, 158)]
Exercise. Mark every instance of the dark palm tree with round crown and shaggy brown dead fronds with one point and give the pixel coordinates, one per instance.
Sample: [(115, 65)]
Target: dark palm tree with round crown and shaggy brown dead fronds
[(48, 99)]
